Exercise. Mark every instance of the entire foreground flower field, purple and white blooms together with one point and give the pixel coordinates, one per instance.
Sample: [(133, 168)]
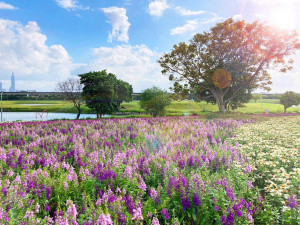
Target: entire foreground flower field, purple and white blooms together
[(149, 171)]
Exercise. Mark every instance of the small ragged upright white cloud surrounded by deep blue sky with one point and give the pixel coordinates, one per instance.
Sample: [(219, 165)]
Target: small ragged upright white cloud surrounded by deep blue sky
[(119, 21)]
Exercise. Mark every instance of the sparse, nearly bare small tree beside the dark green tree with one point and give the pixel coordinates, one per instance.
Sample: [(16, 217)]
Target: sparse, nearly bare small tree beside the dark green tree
[(72, 89)]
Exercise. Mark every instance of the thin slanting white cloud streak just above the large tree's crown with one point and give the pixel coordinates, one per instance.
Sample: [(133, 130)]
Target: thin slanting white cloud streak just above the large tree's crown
[(192, 25)]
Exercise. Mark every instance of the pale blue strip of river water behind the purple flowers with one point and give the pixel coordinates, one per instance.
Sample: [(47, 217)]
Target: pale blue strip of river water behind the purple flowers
[(31, 116)]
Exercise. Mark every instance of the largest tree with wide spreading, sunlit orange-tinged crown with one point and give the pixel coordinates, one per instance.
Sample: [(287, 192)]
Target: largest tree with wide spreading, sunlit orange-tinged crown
[(232, 57)]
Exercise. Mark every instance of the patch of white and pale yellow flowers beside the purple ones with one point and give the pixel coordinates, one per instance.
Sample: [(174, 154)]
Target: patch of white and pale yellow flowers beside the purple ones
[(273, 148)]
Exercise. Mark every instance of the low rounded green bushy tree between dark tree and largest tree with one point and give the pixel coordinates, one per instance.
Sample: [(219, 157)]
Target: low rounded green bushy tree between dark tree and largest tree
[(154, 101)]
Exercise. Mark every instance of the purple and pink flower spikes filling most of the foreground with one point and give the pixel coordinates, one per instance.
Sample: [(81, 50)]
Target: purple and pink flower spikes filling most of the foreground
[(124, 170)]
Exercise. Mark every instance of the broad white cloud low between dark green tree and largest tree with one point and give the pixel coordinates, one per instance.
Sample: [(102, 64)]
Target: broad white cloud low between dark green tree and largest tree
[(134, 64)]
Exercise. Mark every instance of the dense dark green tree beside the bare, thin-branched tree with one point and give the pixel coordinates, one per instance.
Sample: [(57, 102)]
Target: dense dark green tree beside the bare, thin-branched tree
[(103, 92)]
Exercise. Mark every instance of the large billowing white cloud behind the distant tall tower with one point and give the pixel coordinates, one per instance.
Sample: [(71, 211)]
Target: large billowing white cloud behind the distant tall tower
[(24, 49)]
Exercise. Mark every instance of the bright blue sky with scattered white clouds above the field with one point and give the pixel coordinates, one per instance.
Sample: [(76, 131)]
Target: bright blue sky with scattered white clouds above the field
[(45, 41)]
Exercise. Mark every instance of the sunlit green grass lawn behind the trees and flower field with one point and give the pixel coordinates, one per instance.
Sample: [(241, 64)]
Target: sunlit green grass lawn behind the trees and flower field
[(177, 108)]
